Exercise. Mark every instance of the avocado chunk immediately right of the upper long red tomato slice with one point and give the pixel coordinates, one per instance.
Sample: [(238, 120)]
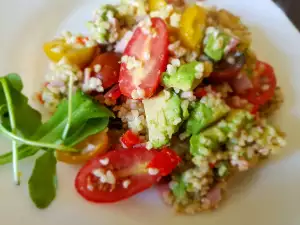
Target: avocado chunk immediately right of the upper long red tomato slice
[(186, 78)]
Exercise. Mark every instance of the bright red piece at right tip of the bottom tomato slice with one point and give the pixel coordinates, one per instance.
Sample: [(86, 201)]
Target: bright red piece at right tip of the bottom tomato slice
[(165, 161)]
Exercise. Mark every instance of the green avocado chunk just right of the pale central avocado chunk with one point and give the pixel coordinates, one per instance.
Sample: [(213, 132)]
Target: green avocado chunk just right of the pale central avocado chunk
[(205, 112)]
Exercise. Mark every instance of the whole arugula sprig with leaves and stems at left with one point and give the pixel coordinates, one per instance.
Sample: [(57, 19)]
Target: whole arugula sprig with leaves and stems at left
[(75, 119)]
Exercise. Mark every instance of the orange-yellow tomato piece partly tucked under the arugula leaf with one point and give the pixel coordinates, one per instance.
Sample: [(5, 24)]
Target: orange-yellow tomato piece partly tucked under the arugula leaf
[(98, 143)]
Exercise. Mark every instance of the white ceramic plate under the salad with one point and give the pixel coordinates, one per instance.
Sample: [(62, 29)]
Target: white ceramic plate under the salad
[(265, 196)]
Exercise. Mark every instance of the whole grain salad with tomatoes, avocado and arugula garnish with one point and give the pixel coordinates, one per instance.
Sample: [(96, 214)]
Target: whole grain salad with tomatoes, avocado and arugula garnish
[(158, 93)]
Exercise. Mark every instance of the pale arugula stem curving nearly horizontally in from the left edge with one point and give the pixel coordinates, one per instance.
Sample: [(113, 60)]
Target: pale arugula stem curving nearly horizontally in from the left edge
[(34, 143)]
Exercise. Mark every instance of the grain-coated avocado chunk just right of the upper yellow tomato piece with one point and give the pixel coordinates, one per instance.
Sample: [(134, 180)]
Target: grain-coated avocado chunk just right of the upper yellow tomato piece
[(217, 43)]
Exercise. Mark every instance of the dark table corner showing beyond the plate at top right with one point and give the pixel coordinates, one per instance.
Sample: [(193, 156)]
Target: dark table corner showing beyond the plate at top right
[(292, 8)]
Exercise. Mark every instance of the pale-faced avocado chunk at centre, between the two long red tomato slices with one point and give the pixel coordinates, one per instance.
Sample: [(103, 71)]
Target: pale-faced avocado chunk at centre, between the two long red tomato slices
[(163, 117)]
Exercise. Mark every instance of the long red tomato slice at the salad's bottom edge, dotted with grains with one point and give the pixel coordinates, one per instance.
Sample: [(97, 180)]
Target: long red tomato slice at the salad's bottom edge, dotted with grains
[(126, 164)]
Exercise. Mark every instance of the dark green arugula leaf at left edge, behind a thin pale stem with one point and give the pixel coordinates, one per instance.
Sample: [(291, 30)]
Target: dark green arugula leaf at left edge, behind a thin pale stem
[(27, 119)]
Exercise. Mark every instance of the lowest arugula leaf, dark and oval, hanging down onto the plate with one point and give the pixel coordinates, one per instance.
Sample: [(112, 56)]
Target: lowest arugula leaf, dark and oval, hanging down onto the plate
[(42, 183)]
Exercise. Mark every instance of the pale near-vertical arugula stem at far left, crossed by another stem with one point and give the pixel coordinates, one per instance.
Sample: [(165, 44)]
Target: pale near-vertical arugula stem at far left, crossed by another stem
[(13, 128)]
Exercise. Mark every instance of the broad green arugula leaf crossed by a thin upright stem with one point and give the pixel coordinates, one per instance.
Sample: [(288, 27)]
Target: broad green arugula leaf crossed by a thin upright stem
[(88, 118)]
